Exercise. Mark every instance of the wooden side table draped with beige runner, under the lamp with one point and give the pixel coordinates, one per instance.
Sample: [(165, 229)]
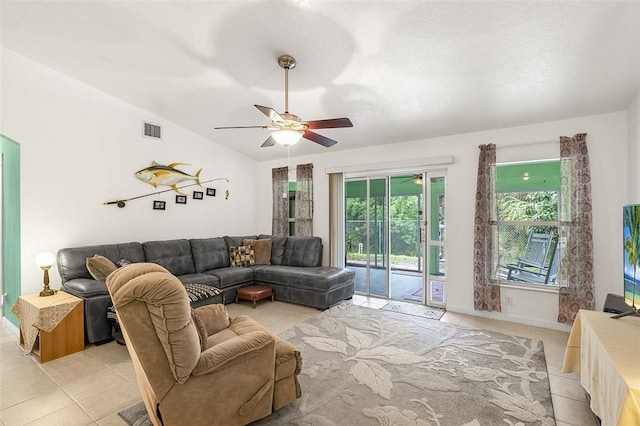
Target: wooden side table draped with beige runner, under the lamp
[(52, 326)]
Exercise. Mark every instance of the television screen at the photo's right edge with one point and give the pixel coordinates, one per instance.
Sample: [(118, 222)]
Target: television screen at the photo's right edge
[(631, 239)]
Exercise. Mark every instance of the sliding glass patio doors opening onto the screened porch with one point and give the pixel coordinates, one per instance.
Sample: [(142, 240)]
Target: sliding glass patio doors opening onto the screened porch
[(396, 250)]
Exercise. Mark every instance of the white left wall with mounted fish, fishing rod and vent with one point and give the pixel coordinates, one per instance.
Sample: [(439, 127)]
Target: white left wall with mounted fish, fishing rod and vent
[(80, 148)]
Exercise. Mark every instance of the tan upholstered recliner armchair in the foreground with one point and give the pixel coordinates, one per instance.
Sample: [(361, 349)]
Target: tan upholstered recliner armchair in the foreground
[(233, 373)]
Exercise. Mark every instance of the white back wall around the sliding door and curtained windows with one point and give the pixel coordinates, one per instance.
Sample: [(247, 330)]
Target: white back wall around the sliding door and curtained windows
[(607, 141)]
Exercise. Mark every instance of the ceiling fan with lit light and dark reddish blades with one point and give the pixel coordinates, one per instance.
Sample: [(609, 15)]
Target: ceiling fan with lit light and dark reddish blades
[(289, 128)]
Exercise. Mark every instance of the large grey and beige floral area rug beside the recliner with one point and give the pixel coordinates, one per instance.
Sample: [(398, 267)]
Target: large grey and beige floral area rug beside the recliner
[(364, 366)]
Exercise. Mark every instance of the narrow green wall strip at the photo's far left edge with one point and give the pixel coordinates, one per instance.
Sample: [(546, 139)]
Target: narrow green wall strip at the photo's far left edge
[(11, 250)]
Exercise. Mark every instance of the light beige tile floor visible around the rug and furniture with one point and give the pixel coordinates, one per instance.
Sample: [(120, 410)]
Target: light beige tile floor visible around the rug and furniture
[(92, 386)]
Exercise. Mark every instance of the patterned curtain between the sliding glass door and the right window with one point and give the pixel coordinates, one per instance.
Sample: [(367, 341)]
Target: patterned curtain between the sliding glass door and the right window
[(486, 291)]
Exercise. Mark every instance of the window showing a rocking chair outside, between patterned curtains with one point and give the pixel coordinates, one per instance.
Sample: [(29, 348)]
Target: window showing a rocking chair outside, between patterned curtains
[(527, 198)]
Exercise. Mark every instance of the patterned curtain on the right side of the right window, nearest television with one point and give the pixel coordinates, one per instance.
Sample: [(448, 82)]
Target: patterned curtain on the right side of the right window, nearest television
[(576, 229)]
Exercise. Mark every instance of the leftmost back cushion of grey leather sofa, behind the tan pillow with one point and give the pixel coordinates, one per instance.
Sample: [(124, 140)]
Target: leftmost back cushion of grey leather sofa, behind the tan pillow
[(72, 262)]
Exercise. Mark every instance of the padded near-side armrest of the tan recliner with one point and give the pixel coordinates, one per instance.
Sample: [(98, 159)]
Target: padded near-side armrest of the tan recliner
[(217, 357)]
